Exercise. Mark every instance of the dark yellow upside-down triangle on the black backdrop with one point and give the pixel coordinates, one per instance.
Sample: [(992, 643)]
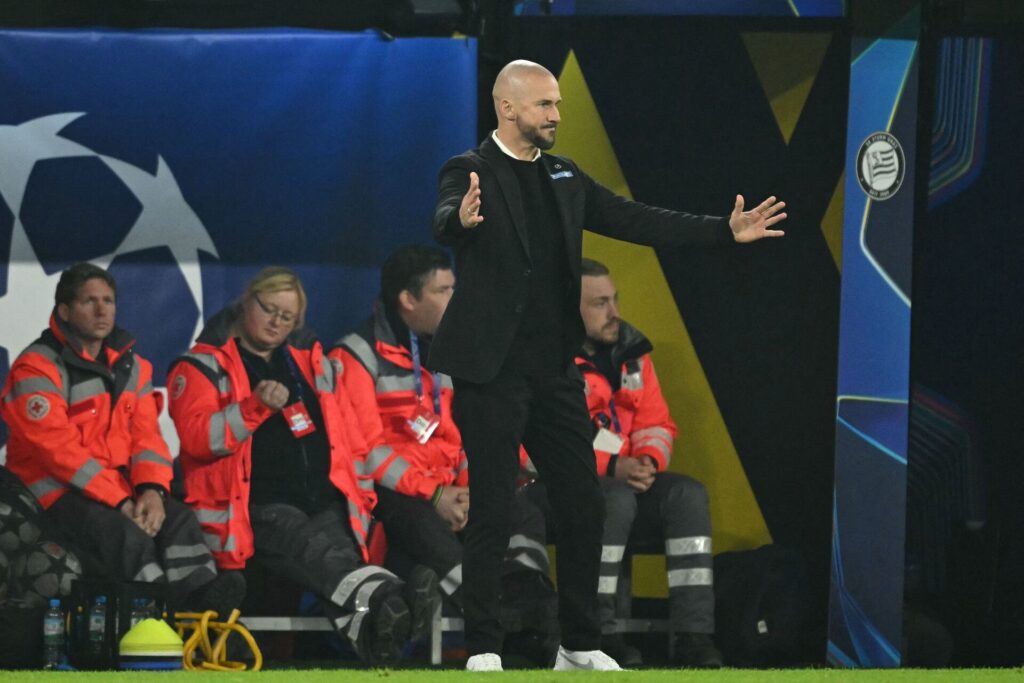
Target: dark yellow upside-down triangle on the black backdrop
[(787, 65)]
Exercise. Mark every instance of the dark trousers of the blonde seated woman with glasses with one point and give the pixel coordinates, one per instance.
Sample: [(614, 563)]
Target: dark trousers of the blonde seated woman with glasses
[(320, 553)]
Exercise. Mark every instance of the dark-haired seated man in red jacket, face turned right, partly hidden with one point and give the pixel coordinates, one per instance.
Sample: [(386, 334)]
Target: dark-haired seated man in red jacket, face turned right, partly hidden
[(417, 459)]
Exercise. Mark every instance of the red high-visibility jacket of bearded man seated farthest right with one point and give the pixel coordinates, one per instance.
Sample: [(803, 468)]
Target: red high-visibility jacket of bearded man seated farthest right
[(645, 423)]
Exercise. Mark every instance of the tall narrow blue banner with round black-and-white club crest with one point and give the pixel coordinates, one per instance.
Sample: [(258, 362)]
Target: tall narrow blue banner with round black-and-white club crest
[(873, 393)]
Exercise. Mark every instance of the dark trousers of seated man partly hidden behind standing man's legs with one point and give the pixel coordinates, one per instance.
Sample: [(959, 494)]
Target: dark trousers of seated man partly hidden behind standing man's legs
[(420, 536)]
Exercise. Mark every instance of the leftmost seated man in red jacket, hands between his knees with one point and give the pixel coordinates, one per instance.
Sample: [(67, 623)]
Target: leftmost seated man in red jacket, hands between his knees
[(82, 414)]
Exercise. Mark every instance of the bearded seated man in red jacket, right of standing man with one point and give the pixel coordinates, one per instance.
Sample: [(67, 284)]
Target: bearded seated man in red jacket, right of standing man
[(646, 503)]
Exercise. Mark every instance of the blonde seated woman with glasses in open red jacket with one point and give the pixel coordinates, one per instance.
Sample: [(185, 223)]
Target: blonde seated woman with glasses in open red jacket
[(270, 447)]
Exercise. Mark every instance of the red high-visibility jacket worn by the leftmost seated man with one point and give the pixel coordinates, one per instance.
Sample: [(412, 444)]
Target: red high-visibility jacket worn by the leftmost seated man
[(83, 423)]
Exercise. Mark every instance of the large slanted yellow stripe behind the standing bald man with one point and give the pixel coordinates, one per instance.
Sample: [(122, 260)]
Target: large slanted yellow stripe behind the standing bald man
[(704, 449)]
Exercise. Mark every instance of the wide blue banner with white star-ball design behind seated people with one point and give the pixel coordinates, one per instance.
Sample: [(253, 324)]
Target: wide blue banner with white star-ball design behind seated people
[(187, 161)]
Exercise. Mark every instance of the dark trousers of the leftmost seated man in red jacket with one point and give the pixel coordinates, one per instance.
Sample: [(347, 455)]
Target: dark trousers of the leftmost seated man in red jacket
[(113, 546)]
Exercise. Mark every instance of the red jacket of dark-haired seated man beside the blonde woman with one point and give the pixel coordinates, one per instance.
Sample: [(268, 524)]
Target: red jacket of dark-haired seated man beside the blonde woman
[(380, 383)]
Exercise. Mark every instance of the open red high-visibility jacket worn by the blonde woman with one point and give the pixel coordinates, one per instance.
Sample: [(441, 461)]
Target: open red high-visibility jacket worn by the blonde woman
[(216, 414)]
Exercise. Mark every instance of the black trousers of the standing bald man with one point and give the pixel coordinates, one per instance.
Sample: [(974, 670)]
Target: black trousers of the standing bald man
[(549, 417)]
